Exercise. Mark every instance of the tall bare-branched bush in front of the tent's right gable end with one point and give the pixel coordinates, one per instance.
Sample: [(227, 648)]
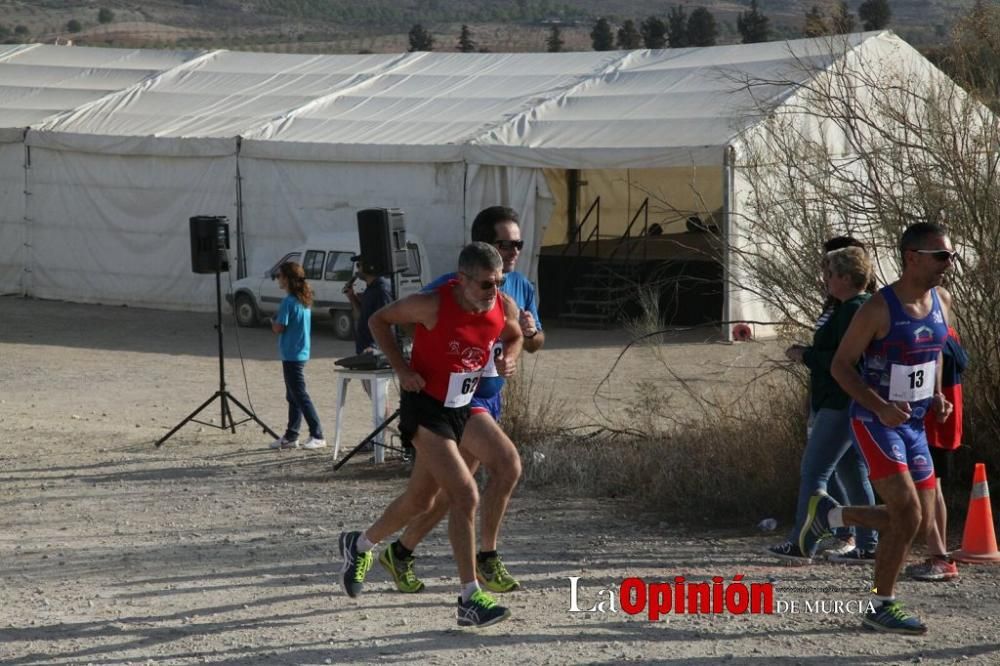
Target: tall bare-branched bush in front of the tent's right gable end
[(868, 147)]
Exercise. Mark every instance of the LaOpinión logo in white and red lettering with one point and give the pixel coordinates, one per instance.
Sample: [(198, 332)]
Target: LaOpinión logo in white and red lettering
[(635, 596)]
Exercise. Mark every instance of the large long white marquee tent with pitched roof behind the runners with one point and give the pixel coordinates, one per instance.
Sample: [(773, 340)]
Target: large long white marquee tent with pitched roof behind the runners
[(105, 153)]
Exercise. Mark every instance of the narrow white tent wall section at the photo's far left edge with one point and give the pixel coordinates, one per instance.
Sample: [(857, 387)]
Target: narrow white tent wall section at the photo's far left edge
[(12, 223)]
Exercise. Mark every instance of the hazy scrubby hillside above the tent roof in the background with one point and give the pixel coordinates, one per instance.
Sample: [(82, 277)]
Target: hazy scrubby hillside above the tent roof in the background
[(352, 26)]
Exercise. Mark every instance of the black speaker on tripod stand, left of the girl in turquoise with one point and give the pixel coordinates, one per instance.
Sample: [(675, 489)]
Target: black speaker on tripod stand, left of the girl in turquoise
[(210, 254)]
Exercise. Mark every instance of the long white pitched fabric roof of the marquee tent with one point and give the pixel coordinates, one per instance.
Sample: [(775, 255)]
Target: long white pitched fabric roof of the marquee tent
[(573, 110)]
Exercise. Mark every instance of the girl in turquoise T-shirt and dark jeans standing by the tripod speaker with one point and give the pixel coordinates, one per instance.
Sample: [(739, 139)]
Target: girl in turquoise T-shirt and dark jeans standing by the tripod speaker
[(292, 324)]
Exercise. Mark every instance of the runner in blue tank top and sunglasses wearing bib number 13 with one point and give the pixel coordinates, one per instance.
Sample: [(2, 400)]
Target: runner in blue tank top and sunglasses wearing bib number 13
[(899, 333)]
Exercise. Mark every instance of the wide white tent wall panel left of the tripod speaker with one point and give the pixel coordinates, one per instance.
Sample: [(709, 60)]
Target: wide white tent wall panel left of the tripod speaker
[(113, 229)]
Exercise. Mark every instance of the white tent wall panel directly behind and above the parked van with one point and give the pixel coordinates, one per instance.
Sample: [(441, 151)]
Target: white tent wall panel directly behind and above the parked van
[(284, 201)]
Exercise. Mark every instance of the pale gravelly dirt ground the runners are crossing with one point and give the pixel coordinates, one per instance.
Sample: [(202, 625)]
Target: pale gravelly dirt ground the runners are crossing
[(213, 549)]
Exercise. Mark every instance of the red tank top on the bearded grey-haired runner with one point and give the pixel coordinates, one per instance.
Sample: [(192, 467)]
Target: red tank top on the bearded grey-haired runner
[(450, 357)]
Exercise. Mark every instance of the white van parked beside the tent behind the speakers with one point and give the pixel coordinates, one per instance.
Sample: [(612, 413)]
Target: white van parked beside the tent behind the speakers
[(326, 259)]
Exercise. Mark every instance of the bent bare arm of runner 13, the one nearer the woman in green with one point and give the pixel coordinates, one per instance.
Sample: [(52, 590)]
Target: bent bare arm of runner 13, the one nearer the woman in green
[(866, 325)]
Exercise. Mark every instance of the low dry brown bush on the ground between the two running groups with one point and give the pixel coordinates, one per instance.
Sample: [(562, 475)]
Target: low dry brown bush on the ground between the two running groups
[(720, 466)]
